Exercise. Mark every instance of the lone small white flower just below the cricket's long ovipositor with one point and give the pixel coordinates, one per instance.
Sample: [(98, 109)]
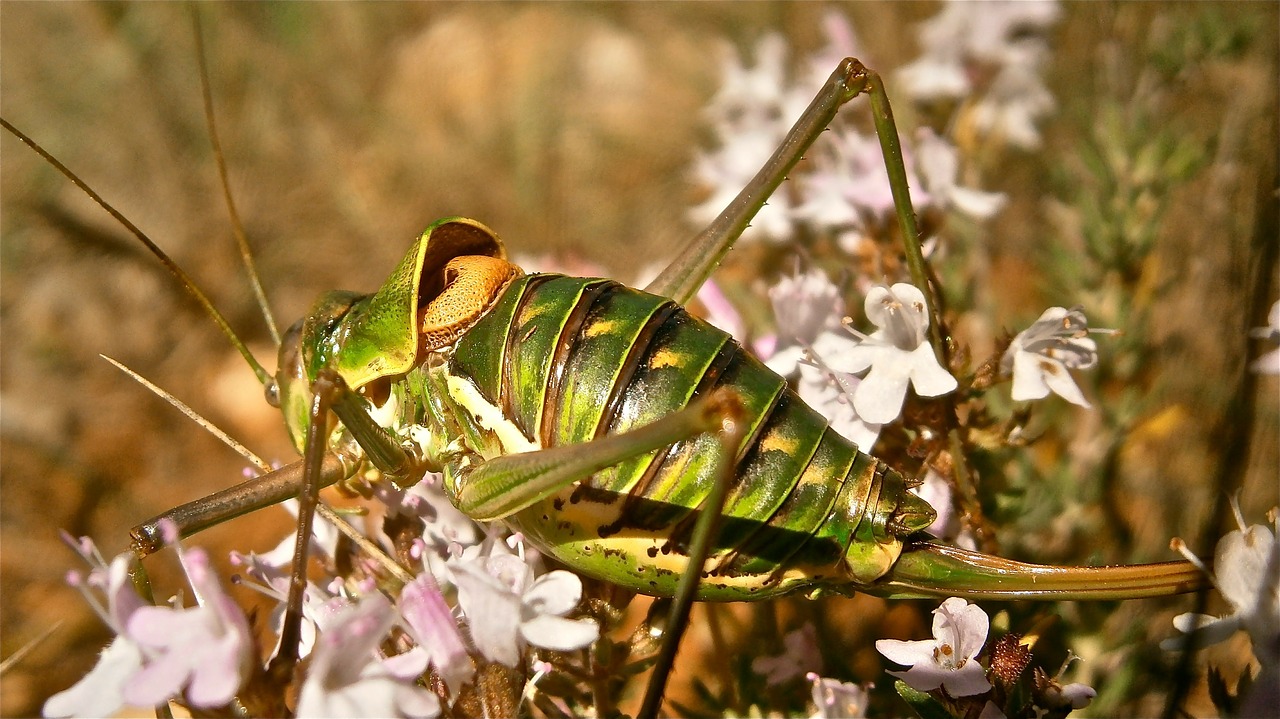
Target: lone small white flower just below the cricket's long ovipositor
[(948, 660)]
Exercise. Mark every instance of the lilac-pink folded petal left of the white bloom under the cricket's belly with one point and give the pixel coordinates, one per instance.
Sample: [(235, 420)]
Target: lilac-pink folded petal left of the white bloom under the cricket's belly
[(492, 610)]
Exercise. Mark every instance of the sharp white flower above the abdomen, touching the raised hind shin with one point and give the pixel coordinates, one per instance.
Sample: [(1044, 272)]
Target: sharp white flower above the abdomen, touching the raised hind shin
[(897, 355)]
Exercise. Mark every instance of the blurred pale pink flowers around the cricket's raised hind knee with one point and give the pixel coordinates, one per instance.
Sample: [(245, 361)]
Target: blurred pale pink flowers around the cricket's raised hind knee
[(844, 193)]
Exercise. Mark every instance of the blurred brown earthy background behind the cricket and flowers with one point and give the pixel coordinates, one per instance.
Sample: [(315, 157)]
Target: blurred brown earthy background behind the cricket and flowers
[(570, 130)]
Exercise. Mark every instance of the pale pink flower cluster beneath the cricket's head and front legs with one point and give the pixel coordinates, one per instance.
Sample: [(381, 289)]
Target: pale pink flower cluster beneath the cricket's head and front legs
[(367, 654)]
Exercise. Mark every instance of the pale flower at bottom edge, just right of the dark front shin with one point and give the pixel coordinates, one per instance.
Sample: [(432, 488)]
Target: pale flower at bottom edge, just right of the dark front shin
[(346, 677)]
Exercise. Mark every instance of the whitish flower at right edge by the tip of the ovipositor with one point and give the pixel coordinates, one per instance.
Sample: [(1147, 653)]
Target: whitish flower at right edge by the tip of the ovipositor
[(1247, 574)]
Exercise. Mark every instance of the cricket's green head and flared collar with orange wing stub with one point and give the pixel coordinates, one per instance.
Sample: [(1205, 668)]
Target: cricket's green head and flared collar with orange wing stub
[(450, 278)]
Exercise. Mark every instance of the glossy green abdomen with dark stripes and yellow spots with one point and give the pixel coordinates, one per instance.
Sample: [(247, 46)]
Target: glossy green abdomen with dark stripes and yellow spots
[(570, 360)]
